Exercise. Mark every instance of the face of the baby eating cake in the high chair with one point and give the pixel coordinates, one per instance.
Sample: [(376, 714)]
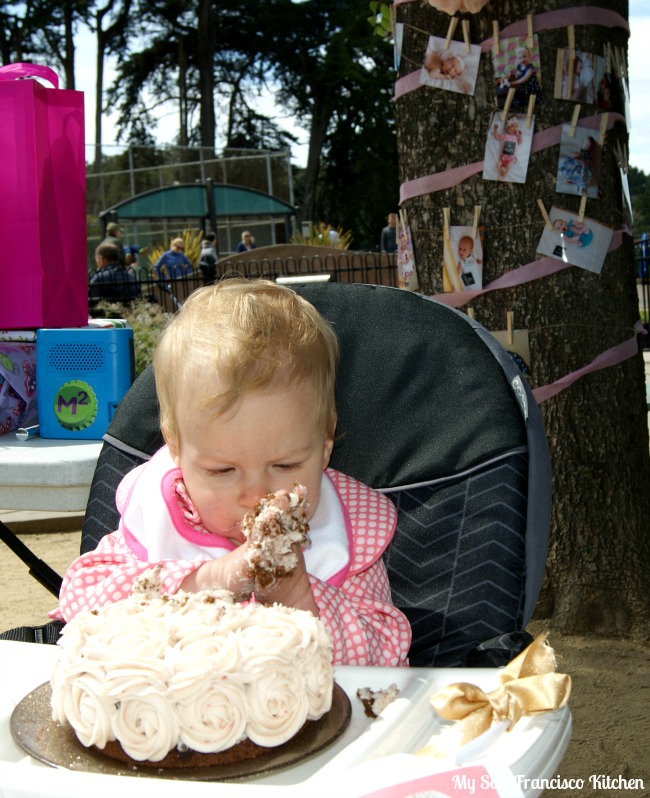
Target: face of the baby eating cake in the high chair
[(269, 441)]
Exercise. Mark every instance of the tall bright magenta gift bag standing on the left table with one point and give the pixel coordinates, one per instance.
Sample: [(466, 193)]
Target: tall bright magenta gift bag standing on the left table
[(43, 270)]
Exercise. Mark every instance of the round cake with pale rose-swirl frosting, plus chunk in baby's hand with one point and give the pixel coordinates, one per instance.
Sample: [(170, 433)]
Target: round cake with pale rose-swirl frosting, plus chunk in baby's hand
[(194, 679)]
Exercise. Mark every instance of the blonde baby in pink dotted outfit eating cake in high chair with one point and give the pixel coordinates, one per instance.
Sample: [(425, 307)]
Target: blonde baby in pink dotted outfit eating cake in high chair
[(245, 376)]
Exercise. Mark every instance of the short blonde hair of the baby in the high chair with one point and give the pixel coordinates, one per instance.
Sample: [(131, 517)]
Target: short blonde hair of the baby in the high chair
[(250, 335)]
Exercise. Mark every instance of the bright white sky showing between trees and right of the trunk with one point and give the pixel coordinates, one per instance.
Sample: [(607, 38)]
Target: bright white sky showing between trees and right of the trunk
[(639, 70)]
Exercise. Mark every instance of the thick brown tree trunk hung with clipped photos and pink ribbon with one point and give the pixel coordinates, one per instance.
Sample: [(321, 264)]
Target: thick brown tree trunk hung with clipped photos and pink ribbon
[(598, 569)]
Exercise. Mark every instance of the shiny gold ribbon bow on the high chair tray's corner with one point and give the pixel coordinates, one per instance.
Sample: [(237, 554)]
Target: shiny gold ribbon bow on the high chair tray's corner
[(528, 685)]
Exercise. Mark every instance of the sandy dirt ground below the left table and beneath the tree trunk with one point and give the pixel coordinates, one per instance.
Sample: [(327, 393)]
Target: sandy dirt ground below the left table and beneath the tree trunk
[(610, 700)]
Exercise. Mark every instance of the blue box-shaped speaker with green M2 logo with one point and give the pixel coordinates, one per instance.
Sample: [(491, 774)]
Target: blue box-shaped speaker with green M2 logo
[(81, 376)]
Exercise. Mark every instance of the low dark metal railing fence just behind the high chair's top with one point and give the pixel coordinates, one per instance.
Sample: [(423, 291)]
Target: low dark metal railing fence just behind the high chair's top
[(347, 267)]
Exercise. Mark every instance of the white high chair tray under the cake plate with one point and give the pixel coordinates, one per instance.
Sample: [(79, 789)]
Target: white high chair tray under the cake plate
[(365, 758)]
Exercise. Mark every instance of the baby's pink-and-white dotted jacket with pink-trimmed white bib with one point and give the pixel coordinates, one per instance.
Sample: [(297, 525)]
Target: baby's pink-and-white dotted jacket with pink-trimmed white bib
[(347, 575)]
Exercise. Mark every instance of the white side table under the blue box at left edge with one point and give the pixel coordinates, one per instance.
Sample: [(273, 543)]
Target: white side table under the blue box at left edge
[(46, 473)]
